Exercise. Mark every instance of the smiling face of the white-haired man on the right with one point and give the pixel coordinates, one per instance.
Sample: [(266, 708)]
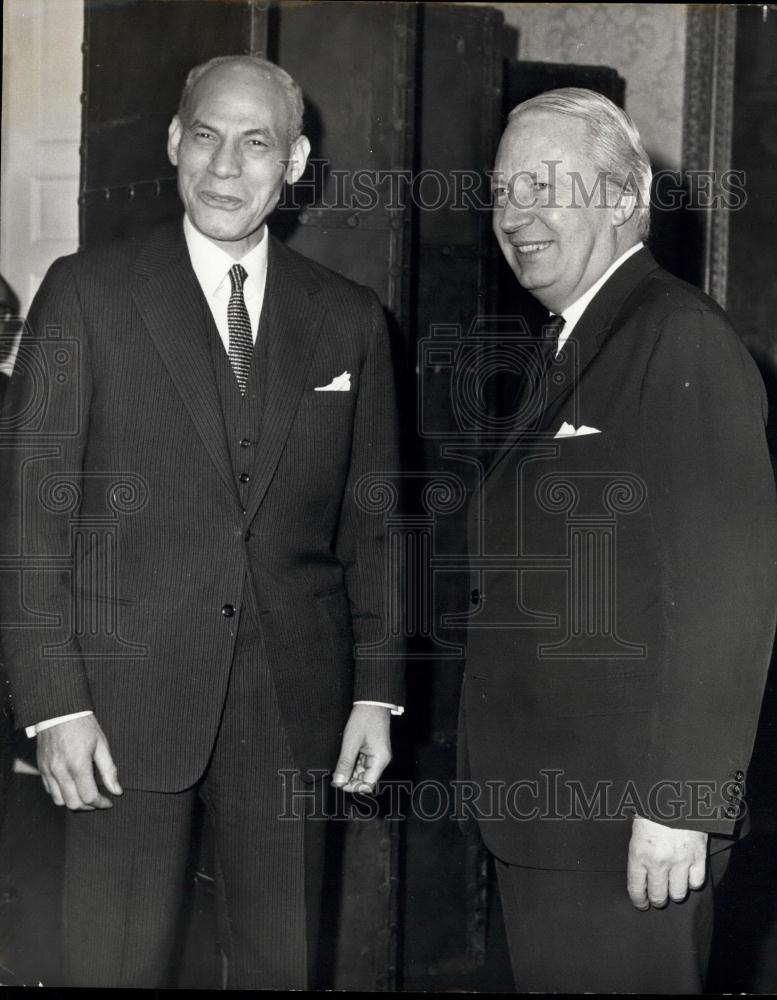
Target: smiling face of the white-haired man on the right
[(550, 214)]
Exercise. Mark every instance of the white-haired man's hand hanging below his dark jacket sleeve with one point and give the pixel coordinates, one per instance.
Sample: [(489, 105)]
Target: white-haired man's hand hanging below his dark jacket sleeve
[(664, 863)]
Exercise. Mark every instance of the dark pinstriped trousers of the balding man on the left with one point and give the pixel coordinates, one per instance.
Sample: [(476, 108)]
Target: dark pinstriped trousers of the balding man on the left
[(126, 867)]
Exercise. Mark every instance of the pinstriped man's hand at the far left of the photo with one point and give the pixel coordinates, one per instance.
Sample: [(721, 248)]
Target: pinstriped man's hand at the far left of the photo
[(67, 756)]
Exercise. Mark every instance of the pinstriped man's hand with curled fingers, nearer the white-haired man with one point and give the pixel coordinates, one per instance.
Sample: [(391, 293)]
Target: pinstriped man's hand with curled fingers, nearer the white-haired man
[(366, 749)]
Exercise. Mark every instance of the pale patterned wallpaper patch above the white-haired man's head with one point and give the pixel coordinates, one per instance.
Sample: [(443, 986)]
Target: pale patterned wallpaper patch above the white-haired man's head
[(644, 42)]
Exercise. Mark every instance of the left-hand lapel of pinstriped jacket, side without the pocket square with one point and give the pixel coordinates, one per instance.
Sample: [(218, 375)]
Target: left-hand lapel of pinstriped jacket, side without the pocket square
[(170, 301)]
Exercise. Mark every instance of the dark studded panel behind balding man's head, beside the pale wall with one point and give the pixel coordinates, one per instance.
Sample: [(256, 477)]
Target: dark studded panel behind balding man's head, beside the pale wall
[(136, 57)]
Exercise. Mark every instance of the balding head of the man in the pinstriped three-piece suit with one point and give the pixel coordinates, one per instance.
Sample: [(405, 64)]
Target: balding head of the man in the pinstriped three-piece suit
[(233, 155)]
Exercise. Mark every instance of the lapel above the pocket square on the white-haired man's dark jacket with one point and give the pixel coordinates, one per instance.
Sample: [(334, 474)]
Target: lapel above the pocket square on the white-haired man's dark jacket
[(589, 335)]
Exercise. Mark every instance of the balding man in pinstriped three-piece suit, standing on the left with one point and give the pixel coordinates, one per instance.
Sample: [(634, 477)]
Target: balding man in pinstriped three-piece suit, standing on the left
[(197, 575)]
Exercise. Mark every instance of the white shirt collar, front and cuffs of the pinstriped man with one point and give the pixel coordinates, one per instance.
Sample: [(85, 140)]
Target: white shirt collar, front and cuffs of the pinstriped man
[(211, 266)]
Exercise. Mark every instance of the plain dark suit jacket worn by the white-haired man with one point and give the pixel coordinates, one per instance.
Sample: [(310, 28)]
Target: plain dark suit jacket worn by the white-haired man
[(626, 659)]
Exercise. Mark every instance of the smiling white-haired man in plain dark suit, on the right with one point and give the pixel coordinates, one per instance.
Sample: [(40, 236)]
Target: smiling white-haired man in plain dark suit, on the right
[(627, 578)]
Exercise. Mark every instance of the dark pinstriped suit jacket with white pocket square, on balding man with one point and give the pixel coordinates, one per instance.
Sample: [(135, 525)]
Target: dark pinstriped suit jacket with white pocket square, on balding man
[(124, 508)]
